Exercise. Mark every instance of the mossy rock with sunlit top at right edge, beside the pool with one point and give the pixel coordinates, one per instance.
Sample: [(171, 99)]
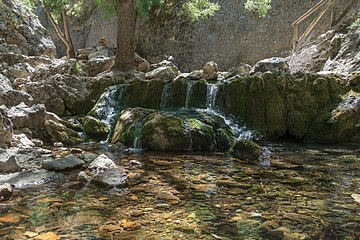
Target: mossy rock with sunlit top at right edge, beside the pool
[(339, 122)]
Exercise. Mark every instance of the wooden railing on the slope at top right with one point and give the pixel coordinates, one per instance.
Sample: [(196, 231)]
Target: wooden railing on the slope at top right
[(324, 5)]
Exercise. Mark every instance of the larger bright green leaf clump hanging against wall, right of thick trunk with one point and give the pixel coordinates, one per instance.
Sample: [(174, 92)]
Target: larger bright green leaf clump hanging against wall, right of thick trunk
[(200, 9)]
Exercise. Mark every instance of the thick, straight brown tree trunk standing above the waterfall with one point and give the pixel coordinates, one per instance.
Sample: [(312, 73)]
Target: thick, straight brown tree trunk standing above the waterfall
[(125, 49)]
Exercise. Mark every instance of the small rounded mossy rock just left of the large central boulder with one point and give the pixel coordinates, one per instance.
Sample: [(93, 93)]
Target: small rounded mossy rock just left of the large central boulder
[(95, 129)]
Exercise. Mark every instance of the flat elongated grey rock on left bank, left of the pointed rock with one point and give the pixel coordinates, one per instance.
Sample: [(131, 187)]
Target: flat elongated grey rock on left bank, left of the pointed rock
[(60, 164)]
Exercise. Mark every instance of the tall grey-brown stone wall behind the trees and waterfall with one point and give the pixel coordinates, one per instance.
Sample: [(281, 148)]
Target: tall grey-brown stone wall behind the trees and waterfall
[(230, 37)]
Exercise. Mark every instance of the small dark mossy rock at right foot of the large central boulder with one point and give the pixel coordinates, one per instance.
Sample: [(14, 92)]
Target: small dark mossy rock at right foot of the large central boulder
[(246, 150)]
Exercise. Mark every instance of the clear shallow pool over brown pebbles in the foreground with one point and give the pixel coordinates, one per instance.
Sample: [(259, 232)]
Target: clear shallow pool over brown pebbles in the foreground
[(309, 192)]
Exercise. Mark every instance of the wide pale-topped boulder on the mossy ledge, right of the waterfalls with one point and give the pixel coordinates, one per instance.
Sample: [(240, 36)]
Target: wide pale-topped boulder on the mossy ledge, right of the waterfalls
[(275, 64)]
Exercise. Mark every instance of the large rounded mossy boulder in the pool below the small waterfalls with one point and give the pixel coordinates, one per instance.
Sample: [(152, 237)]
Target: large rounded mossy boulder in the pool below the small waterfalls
[(183, 131)]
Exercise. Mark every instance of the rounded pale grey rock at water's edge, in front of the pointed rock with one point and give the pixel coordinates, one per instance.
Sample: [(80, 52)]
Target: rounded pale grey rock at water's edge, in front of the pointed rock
[(112, 177)]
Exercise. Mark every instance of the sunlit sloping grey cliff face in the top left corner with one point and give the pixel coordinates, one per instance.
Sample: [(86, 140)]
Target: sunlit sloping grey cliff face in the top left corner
[(21, 31)]
